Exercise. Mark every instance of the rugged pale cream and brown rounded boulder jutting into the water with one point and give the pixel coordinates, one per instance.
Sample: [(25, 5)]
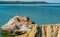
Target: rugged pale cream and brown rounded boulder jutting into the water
[(17, 24)]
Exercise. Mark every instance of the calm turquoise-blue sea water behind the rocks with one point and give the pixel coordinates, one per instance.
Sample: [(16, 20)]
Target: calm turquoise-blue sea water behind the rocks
[(39, 13)]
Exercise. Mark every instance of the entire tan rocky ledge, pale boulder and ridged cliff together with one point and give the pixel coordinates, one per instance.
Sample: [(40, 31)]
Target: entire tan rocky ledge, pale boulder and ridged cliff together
[(22, 26)]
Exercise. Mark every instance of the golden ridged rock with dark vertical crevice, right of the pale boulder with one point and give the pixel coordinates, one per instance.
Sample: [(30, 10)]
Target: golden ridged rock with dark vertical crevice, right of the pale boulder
[(49, 30)]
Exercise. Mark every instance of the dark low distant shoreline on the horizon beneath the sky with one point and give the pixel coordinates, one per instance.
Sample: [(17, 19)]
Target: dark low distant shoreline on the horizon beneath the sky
[(20, 2)]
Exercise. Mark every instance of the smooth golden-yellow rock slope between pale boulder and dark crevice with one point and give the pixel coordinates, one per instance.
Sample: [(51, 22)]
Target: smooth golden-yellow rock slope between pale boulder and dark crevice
[(31, 33)]
